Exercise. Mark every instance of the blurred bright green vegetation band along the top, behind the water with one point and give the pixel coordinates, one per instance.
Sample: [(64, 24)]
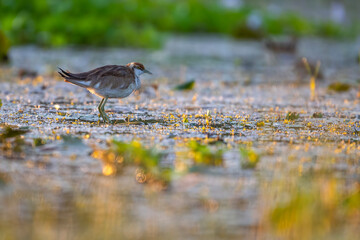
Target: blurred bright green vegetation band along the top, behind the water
[(145, 23)]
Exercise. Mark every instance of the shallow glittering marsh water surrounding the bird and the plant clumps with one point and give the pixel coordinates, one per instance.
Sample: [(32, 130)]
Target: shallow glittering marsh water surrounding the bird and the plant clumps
[(242, 95)]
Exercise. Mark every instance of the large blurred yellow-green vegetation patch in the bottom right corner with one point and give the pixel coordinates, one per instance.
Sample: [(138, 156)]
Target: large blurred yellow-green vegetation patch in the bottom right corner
[(318, 208)]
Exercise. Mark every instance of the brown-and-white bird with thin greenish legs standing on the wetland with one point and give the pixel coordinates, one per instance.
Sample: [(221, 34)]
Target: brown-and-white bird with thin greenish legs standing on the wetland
[(109, 81)]
